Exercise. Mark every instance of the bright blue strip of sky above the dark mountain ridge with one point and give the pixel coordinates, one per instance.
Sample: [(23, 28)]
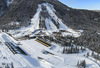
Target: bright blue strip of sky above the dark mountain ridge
[(83, 4)]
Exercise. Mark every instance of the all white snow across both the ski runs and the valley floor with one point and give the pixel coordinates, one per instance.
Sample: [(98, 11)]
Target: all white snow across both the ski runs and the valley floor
[(35, 57)]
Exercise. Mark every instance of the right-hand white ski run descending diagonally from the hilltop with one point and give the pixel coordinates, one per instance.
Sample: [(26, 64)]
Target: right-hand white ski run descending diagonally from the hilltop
[(62, 26)]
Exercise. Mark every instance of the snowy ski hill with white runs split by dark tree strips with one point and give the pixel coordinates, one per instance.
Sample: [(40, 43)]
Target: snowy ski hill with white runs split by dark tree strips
[(45, 20)]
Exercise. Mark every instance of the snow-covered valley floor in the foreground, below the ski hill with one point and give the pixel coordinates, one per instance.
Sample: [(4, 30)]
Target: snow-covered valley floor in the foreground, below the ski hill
[(35, 50)]
